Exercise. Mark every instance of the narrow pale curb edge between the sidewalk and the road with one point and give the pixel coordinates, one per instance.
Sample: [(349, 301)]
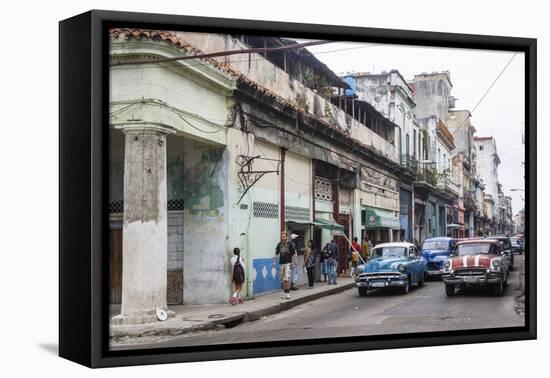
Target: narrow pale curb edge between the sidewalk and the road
[(175, 327)]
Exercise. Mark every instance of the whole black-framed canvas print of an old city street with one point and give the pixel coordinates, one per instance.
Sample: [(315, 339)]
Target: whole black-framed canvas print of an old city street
[(235, 188)]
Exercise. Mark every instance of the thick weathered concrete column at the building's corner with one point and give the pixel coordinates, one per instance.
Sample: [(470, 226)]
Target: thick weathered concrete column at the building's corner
[(145, 240)]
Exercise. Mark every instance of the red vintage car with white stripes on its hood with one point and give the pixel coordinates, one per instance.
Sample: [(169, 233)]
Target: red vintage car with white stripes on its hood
[(476, 263)]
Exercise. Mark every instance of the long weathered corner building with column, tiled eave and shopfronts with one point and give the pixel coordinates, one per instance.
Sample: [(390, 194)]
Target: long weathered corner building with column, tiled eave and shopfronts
[(209, 154)]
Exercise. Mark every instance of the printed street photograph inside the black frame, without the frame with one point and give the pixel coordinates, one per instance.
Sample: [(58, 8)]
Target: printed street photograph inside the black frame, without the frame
[(270, 188)]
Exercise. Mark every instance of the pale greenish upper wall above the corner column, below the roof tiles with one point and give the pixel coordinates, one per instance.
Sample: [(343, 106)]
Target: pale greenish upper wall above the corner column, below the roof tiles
[(194, 99)]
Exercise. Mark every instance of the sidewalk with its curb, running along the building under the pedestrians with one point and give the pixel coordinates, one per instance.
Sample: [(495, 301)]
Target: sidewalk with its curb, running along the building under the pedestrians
[(192, 318)]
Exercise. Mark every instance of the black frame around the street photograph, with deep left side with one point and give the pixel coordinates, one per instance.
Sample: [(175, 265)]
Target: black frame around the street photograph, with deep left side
[(83, 142)]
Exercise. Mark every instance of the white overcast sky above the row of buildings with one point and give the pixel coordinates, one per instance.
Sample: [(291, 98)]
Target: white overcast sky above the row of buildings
[(500, 114)]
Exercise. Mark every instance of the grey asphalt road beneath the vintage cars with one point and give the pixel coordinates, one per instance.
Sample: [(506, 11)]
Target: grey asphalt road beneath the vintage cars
[(382, 312)]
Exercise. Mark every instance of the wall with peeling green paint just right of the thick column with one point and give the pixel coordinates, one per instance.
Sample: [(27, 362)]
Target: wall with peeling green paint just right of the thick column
[(205, 223)]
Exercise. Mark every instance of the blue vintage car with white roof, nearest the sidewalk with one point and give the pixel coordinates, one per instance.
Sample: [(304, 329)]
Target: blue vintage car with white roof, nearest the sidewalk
[(391, 265)]
